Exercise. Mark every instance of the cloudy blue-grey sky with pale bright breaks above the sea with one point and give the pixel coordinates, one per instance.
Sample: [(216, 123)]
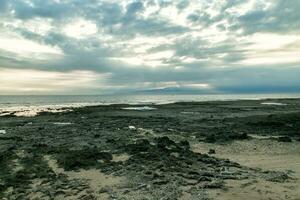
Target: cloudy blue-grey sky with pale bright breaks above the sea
[(136, 46)]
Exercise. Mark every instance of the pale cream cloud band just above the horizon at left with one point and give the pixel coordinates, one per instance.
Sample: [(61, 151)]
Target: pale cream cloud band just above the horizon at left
[(26, 80)]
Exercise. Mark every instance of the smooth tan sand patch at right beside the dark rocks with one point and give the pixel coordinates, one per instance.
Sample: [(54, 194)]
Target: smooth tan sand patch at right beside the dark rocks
[(265, 154)]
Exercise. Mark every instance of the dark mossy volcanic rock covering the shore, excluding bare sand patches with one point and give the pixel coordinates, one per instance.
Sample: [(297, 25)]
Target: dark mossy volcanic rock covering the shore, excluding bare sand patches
[(157, 164)]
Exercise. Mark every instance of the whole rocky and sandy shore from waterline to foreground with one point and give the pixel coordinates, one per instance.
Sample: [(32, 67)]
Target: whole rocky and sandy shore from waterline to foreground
[(241, 149)]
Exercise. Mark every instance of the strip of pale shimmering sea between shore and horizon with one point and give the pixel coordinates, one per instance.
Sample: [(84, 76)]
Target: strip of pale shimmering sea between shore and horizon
[(30, 105)]
